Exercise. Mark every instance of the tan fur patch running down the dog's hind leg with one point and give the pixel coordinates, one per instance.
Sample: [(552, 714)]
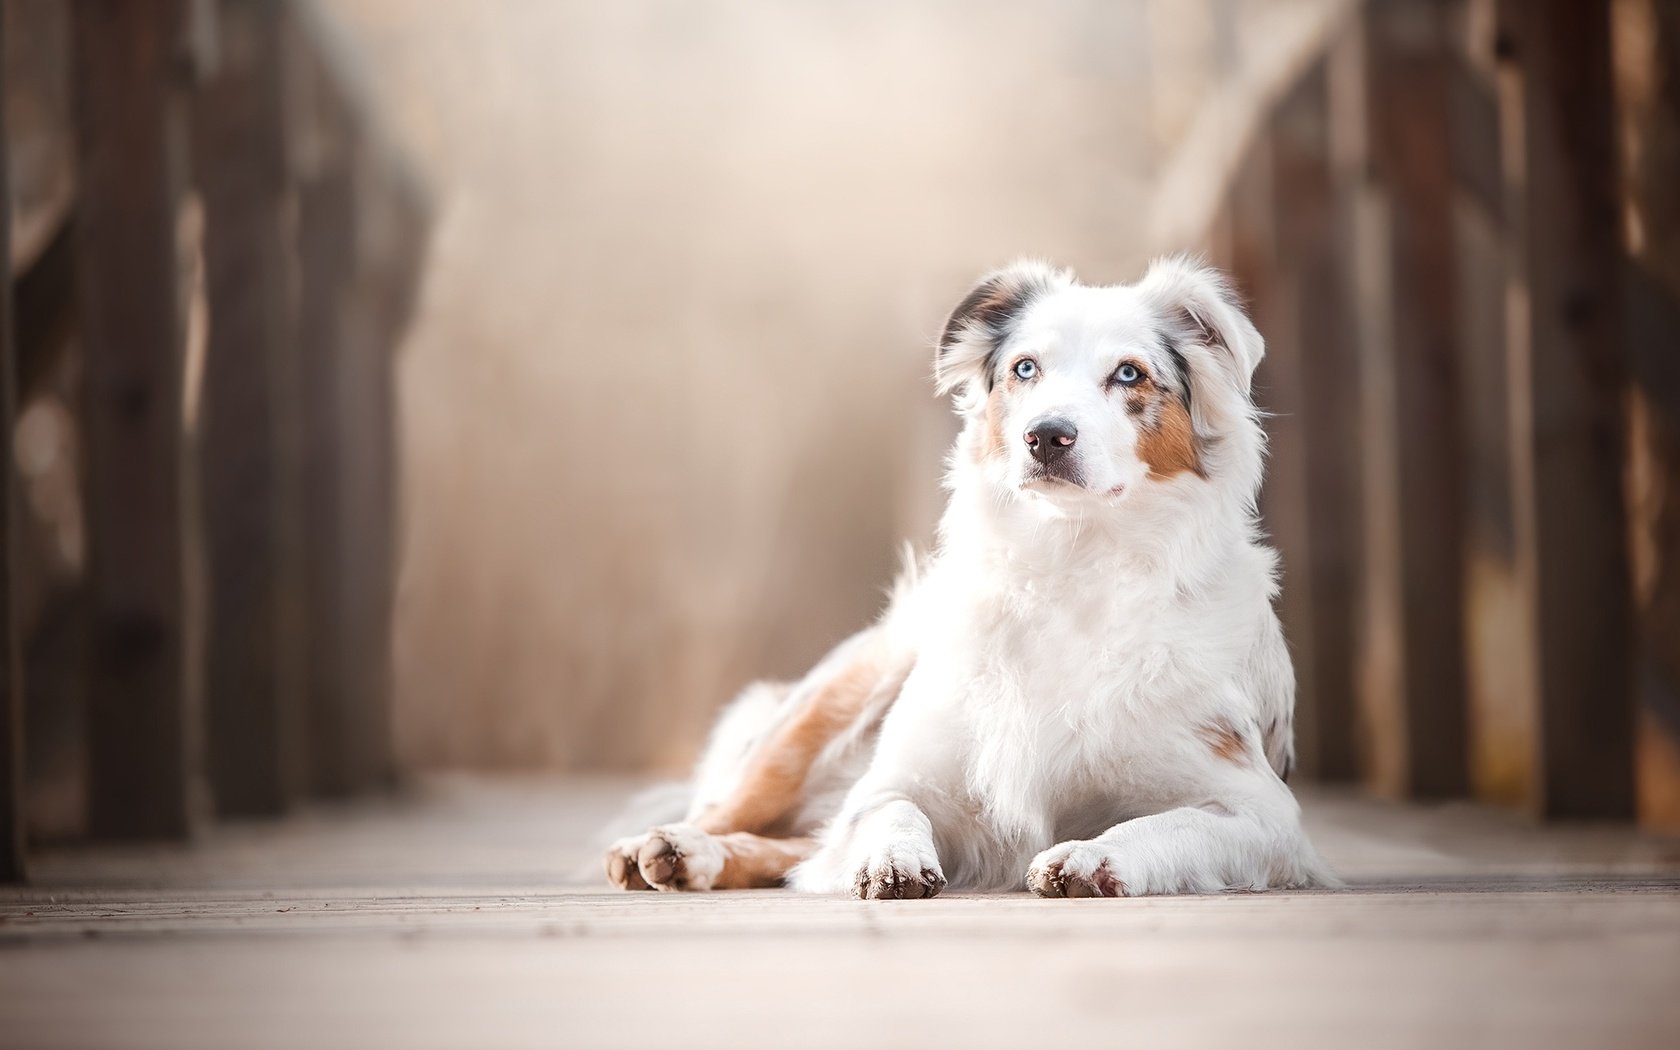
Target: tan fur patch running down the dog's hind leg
[(775, 774)]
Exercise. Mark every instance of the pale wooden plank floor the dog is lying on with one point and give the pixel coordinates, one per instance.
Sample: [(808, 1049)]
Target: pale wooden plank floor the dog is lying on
[(454, 918)]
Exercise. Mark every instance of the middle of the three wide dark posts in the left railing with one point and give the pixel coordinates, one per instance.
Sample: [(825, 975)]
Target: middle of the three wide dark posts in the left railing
[(249, 424)]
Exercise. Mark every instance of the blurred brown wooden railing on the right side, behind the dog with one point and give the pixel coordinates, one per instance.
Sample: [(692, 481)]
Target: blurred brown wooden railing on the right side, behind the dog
[(1459, 224)]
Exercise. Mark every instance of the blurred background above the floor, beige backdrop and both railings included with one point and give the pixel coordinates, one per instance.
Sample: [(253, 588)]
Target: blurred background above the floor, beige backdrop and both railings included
[(500, 386)]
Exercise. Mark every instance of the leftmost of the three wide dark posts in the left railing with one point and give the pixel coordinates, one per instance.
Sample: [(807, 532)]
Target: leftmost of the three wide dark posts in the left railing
[(132, 135)]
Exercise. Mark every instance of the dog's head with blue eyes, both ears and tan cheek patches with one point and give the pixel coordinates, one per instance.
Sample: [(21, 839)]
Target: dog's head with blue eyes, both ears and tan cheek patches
[(1073, 392)]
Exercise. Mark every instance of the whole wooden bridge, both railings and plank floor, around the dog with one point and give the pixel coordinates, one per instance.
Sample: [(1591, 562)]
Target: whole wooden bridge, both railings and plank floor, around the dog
[(1459, 231)]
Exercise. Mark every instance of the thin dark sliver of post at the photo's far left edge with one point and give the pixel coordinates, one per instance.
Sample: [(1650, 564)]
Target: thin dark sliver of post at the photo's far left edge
[(11, 653)]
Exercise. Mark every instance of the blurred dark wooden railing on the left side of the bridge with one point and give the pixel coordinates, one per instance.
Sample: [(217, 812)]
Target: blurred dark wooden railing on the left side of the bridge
[(213, 258)]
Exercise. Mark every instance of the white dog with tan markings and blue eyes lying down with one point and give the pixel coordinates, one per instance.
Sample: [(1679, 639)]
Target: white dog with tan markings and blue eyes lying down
[(1086, 690)]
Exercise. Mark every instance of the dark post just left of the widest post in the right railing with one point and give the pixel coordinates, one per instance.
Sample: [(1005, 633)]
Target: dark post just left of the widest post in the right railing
[(1414, 676)]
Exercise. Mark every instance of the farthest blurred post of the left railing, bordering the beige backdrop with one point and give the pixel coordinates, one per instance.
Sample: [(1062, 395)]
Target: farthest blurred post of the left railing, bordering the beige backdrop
[(360, 239)]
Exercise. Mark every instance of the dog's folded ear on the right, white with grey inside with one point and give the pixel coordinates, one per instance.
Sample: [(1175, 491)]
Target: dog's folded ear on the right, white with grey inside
[(1205, 322)]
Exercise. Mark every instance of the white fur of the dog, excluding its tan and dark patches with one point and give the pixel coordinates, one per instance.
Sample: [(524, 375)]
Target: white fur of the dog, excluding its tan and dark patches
[(1074, 644)]
